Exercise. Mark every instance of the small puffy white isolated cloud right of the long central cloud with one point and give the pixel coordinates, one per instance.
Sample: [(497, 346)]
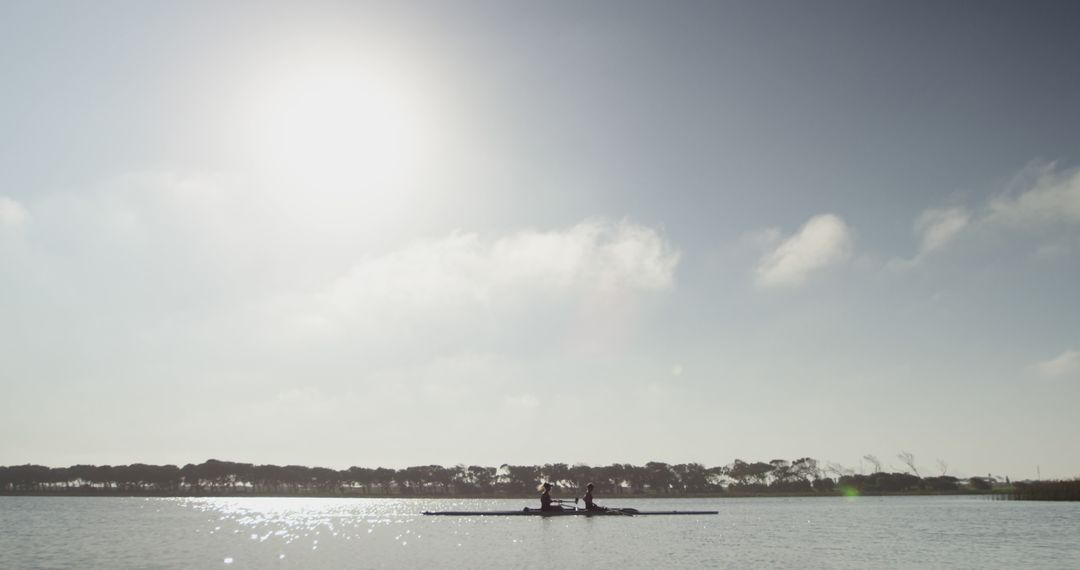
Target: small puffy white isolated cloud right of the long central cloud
[(825, 241)]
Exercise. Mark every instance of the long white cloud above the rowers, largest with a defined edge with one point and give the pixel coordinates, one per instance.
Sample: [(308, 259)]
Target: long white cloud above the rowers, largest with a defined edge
[(469, 284)]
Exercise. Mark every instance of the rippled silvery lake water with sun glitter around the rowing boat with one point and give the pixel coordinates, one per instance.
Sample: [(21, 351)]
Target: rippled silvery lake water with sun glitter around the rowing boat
[(804, 534)]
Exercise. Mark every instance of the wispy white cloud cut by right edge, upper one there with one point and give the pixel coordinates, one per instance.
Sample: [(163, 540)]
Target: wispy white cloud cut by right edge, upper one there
[(1050, 197)]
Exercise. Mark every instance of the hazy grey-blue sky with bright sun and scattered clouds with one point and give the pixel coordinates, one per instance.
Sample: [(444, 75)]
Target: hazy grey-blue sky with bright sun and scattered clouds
[(399, 234)]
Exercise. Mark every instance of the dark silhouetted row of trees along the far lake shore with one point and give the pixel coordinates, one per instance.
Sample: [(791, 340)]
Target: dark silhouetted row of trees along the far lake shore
[(802, 477)]
